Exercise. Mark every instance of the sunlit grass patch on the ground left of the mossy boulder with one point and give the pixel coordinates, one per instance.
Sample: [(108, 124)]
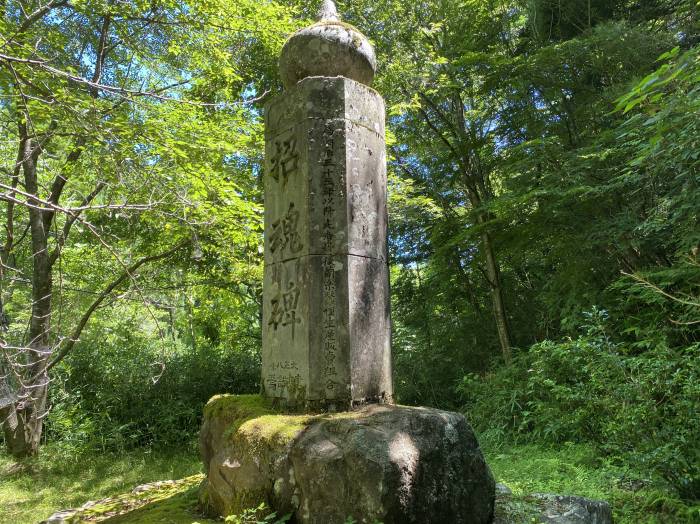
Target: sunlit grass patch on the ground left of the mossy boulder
[(58, 480)]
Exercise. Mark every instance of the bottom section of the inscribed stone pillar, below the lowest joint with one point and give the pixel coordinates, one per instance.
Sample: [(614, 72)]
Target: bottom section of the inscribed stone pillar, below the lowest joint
[(350, 339)]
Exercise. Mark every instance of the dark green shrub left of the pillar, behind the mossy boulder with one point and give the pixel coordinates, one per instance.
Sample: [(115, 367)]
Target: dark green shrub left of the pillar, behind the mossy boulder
[(133, 394)]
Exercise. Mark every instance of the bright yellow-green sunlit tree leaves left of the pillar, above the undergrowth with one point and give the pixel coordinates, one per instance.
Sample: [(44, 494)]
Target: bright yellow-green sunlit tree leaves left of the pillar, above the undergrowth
[(161, 123)]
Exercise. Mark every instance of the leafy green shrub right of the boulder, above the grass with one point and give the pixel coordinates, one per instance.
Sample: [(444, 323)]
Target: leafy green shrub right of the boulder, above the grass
[(642, 408)]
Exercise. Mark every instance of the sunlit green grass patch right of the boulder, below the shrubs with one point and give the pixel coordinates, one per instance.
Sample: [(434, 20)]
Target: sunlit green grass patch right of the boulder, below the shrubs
[(578, 470)]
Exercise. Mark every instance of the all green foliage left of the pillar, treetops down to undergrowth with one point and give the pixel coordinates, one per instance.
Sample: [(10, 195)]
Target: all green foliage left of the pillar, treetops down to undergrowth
[(145, 142)]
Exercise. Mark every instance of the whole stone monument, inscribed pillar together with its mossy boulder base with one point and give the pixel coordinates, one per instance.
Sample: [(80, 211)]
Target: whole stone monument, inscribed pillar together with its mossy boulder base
[(326, 331)]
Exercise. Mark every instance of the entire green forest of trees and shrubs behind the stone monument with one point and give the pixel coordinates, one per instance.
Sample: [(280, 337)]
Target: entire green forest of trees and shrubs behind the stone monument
[(544, 221)]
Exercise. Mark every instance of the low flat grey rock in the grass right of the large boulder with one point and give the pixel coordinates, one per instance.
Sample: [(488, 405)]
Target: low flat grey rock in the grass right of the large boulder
[(549, 509)]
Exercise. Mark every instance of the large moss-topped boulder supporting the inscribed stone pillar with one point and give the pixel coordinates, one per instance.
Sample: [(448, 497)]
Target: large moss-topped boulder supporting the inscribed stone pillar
[(382, 463)]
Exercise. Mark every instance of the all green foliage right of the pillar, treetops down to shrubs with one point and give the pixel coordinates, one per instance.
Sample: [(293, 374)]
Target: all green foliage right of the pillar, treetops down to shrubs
[(591, 206)]
